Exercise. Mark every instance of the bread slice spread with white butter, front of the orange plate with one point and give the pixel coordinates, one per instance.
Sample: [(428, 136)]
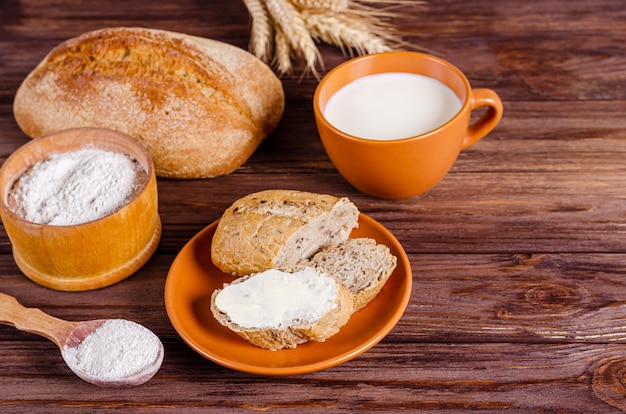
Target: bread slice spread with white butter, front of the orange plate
[(276, 310)]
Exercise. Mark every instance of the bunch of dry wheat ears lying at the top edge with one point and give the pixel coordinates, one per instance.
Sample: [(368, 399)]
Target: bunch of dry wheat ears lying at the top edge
[(285, 29)]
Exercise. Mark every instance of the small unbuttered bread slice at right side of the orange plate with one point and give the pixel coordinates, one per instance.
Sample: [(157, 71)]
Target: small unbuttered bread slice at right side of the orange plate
[(361, 265)]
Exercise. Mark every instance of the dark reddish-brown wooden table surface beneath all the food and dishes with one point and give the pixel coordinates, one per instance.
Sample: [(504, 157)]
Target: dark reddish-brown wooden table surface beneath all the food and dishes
[(518, 255)]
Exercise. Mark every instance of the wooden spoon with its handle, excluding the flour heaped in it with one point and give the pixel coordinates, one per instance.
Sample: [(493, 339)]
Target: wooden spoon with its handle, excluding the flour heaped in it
[(67, 335)]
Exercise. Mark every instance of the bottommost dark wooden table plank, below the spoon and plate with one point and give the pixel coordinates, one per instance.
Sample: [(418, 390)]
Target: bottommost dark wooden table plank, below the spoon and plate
[(427, 378)]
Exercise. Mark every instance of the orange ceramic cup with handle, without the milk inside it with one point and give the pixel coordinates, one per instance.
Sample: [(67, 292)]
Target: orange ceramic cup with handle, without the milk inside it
[(403, 168)]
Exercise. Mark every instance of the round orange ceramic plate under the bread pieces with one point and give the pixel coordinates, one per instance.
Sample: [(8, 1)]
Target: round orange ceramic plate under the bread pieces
[(193, 278)]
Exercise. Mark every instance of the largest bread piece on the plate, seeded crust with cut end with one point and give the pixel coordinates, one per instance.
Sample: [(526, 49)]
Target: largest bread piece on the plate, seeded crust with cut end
[(279, 228)]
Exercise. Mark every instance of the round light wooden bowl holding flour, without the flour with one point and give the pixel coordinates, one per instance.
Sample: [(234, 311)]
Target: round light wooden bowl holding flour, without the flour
[(89, 255)]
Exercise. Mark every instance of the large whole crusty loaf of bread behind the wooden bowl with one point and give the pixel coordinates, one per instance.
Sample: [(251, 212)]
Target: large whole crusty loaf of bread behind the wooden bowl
[(201, 107)]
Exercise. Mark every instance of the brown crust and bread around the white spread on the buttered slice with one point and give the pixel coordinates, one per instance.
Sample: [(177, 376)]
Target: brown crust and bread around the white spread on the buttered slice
[(297, 333)]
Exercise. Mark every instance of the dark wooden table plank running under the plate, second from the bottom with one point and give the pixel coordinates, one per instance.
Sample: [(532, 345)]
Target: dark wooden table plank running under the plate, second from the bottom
[(459, 298)]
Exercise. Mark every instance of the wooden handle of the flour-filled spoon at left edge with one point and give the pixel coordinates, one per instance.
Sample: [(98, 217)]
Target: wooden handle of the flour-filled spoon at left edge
[(34, 320)]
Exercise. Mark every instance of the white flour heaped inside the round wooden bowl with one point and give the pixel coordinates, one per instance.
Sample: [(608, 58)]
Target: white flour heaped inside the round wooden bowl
[(76, 187)]
